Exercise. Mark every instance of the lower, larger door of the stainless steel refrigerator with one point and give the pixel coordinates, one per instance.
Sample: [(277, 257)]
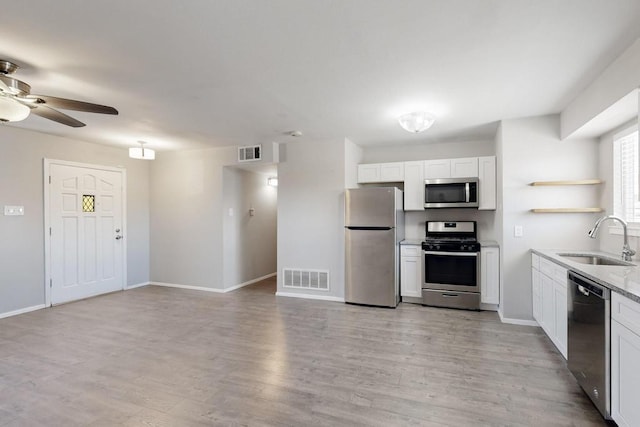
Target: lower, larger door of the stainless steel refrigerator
[(371, 267)]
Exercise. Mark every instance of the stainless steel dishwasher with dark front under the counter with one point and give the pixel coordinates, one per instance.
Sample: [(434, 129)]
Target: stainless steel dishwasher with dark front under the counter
[(589, 307)]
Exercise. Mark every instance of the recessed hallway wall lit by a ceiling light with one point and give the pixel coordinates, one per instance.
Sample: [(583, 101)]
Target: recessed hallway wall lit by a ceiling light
[(249, 242)]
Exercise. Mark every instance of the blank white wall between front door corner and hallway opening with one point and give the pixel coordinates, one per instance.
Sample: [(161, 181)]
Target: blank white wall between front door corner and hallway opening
[(186, 222)]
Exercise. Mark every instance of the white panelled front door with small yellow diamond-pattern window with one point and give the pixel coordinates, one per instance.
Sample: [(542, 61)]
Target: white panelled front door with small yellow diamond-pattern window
[(86, 231)]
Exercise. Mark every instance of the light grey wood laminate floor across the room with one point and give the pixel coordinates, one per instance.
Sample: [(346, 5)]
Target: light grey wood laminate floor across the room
[(158, 356)]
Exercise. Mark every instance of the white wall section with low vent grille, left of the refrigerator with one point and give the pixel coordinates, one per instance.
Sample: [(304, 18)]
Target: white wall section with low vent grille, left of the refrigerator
[(311, 186)]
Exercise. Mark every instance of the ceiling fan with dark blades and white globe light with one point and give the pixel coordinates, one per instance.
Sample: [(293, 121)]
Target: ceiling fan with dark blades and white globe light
[(16, 101)]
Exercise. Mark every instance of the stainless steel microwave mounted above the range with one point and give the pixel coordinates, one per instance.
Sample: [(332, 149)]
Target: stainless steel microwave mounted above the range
[(451, 193)]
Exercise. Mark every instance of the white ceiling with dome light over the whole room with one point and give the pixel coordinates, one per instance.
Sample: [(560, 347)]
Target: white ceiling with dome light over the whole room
[(188, 74)]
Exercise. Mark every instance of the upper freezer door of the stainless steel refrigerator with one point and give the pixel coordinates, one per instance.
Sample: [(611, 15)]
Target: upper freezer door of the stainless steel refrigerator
[(370, 207)]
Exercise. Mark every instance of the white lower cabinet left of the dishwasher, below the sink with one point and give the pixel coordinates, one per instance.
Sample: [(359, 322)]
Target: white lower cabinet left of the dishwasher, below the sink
[(549, 291)]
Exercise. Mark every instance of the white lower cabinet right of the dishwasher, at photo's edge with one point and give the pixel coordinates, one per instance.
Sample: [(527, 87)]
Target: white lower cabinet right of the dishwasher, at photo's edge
[(625, 361)]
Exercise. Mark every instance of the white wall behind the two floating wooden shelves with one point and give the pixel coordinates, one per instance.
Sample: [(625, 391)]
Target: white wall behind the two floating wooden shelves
[(531, 150)]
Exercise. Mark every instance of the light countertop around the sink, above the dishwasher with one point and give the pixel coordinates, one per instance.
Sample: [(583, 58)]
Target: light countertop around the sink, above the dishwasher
[(622, 279)]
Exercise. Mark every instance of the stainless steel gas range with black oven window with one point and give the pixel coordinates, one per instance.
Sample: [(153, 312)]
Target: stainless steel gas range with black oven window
[(451, 273)]
